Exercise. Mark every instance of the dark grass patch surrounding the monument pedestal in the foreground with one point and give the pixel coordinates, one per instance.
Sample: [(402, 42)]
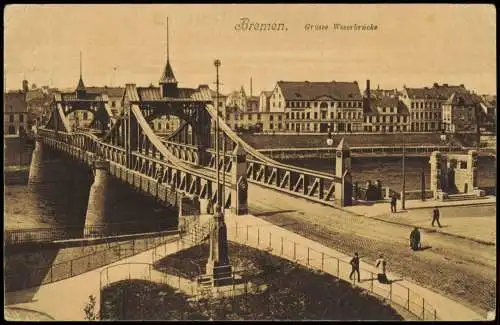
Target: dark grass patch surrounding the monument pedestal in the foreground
[(293, 293)]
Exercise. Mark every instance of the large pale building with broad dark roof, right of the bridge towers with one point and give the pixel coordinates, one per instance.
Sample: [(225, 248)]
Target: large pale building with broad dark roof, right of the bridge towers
[(319, 106)]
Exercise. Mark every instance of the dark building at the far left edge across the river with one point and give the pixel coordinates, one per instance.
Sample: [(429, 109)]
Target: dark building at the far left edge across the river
[(15, 114)]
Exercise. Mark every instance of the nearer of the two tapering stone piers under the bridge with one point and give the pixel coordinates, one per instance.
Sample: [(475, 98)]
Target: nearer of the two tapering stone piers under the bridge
[(97, 205)]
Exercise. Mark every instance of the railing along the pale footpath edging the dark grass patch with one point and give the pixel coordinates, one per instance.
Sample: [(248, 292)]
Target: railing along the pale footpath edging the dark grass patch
[(390, 291)]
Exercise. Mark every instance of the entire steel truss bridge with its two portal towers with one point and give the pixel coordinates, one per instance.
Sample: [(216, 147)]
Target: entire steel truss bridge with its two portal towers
[(182, 164)]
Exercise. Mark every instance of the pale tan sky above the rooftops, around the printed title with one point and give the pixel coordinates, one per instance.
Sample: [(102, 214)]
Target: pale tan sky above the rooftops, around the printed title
[(414, 45)]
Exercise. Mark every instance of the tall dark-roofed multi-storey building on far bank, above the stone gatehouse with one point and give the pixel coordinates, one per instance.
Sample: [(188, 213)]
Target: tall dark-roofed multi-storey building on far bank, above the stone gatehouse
[(425, 105)]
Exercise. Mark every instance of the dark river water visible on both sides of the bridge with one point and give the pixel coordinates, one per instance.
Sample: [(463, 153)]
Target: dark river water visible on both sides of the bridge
[(56, 205)]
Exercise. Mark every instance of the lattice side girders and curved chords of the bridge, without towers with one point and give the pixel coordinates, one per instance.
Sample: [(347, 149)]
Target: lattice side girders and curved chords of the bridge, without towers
[(139, 156)]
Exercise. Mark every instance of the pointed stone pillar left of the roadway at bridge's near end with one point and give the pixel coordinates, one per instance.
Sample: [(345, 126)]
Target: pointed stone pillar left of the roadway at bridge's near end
[(239, 184)]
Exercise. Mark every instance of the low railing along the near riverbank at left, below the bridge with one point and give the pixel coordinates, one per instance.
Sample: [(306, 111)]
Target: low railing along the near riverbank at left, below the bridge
[(14, 237)]
